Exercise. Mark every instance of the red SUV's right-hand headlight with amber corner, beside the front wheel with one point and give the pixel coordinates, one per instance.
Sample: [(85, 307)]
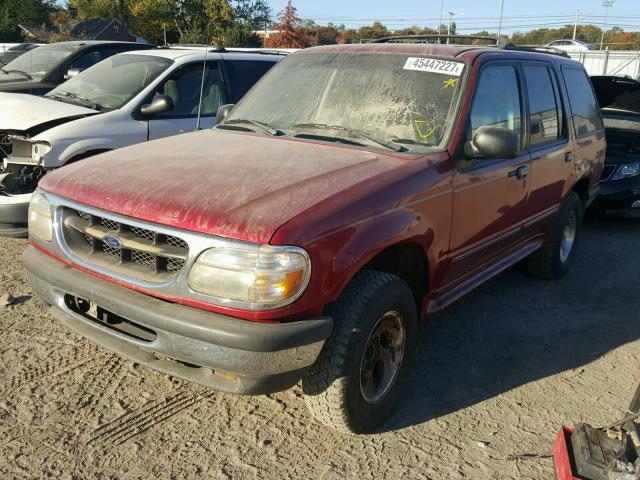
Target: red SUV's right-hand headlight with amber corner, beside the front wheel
[(251, 277)]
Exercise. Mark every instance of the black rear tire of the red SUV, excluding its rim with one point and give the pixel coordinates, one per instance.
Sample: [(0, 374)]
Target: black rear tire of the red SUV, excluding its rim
[(547, 262)]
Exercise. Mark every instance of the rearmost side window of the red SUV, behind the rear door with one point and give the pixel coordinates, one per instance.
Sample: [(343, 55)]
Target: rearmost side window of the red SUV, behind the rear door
[(584, 106)]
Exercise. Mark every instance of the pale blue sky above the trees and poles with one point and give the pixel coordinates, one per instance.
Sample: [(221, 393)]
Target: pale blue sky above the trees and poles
[(470, 15)]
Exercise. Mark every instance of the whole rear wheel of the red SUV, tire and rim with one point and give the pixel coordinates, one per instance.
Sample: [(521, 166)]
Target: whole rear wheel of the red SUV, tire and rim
[(555, 257)]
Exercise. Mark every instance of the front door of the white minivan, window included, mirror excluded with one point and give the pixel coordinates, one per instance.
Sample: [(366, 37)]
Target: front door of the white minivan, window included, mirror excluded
[(183, 87)]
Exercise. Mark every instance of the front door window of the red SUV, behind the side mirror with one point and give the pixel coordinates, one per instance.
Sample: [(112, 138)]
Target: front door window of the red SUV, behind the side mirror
[(497, 100)]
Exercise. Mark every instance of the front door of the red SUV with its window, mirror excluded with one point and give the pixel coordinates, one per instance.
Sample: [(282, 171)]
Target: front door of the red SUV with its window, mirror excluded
[(490, 196)]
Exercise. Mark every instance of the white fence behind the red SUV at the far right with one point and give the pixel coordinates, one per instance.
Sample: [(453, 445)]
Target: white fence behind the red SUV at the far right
[(622, 63)]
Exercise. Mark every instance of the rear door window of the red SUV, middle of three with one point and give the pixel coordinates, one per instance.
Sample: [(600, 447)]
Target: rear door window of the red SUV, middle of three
[(545, 110)]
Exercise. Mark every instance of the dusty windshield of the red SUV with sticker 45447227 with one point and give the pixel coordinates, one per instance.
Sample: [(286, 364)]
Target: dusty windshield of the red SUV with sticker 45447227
[(398, 99)]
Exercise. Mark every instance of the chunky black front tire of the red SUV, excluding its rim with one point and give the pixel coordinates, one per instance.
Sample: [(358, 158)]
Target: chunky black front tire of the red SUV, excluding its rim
[(332, 386)]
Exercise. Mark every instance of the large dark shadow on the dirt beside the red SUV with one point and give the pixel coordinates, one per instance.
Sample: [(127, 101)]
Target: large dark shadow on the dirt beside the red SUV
[(516, 329)]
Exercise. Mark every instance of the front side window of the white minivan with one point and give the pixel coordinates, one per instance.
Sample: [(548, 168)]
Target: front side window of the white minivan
[(183, 87)]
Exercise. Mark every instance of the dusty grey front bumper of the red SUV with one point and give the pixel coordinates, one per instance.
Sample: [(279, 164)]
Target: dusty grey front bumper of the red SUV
[(214, 350)]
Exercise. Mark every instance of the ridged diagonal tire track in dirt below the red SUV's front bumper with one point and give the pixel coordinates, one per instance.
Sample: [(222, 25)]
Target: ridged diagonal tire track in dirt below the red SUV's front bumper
[(140, 420)]
